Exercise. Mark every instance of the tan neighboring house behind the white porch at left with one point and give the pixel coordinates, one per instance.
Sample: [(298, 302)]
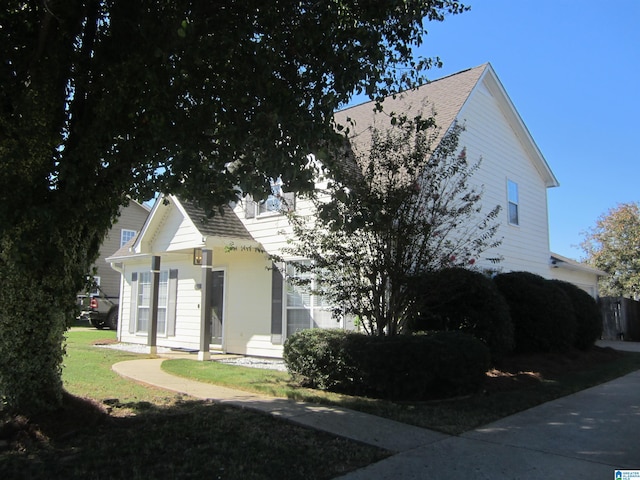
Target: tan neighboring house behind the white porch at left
[(129, 223)]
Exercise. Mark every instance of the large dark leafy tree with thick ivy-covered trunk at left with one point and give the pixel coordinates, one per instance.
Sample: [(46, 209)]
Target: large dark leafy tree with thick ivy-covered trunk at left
[(105, 99)]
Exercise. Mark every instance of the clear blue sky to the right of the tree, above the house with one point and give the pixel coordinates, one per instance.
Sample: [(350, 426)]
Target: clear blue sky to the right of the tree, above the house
[(572, 70)]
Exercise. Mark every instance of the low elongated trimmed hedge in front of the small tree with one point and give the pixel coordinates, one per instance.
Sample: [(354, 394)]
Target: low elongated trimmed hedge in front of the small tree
[(401, 367)]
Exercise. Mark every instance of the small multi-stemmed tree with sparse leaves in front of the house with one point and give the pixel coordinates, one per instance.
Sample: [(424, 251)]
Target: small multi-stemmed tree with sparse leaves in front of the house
[(403, 207)]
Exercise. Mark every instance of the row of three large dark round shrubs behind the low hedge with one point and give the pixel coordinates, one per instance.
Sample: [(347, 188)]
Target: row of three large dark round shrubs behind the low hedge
[(517, 311)]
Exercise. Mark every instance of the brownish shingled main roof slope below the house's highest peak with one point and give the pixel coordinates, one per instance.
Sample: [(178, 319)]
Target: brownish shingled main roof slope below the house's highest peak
[(444, 97)]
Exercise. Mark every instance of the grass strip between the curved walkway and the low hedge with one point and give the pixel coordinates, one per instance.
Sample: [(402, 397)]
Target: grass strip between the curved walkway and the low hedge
[(452, 416)]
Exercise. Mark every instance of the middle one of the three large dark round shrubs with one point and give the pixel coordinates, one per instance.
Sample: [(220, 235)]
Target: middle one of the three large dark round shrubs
[(542, 314)]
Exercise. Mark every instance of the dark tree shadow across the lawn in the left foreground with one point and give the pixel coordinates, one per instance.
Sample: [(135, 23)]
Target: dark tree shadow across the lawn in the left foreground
[(189, 439)]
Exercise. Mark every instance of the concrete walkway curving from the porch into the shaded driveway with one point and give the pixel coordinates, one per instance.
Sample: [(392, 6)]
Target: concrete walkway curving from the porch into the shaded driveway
[(586, 435)]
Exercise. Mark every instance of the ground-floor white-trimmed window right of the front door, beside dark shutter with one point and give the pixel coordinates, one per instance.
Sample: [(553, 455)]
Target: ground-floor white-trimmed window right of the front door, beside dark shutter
[(303, 308)]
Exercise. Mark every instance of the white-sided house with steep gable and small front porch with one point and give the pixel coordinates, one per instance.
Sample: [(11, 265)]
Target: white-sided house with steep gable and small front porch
[(254, 310)]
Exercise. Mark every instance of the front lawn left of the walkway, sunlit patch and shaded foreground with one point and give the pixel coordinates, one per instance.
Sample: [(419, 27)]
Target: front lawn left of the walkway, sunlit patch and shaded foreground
[(156, 434)]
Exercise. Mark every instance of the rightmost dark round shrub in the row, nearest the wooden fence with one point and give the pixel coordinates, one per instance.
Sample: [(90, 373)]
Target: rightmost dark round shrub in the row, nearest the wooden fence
[(587, 312)]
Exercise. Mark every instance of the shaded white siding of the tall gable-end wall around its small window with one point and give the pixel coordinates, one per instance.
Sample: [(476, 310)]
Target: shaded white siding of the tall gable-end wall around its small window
[(489, 135)]
